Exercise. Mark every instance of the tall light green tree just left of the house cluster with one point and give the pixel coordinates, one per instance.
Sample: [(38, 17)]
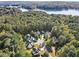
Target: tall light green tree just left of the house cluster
[(18, 45)]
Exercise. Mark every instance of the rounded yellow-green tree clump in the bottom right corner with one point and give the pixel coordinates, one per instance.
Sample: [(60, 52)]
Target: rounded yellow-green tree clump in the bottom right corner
[(70, 49)]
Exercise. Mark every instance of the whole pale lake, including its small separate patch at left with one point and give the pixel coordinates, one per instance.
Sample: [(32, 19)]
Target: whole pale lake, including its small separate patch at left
[(72, 12)]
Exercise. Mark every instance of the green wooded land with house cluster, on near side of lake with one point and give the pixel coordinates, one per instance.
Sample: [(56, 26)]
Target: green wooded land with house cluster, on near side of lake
[(19, 33)]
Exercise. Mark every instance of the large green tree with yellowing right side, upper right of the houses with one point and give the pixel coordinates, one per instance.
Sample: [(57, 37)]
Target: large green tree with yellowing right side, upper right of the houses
[(62, 32)]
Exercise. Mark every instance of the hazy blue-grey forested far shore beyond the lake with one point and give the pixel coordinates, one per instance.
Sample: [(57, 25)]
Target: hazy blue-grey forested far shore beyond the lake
[(48, 5)]
